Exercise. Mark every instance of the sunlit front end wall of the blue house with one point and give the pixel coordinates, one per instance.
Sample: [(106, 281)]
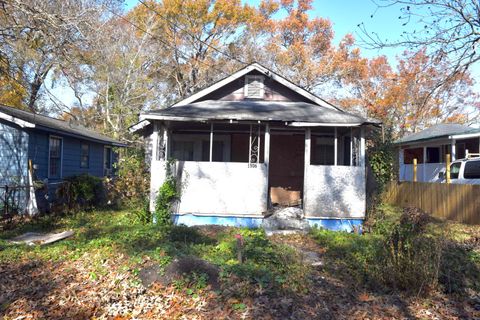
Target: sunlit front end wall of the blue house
[(13, 161)]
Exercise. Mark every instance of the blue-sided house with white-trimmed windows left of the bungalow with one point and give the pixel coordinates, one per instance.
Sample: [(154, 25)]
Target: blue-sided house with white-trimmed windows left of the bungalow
[(55, 149)]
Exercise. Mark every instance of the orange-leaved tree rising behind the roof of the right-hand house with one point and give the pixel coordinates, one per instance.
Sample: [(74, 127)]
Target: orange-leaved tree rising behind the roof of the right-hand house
[(410, 98)]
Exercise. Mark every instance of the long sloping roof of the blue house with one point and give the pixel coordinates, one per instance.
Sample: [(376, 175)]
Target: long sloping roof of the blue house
[(26, 119)]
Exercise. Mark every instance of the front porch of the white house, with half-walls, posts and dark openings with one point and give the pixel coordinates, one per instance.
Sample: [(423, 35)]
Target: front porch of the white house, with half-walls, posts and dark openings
[(233, 173)]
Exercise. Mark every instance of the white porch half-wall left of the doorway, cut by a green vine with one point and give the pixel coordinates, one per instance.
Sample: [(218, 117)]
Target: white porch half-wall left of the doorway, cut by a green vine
[(221, 188)]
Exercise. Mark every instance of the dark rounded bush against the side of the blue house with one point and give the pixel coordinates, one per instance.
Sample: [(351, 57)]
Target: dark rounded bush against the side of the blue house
[(81, 192)]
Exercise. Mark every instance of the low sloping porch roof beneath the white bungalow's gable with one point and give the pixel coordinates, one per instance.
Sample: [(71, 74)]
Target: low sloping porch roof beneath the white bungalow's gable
[(256, 111)]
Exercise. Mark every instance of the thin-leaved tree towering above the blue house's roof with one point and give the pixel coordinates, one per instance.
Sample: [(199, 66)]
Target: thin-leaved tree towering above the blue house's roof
[(38, 38)]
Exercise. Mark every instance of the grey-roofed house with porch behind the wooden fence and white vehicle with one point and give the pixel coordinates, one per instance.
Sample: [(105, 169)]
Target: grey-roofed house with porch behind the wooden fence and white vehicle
[(430, 147)]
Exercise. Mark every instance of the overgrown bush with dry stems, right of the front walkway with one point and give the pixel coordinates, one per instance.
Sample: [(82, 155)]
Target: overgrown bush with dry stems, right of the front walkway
[(398, 255)]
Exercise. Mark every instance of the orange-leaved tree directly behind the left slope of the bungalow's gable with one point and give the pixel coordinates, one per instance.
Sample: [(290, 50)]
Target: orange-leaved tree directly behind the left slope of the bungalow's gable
[(194, 36)]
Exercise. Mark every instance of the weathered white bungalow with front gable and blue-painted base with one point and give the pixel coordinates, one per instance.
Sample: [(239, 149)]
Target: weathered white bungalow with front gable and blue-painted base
[(255, 140)]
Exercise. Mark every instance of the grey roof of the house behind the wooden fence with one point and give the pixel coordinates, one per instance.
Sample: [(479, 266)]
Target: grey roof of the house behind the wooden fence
[(442, 130)]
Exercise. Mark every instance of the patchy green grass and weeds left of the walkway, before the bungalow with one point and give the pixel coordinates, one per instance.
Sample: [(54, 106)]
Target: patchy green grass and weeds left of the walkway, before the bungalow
[(103, 234)]
